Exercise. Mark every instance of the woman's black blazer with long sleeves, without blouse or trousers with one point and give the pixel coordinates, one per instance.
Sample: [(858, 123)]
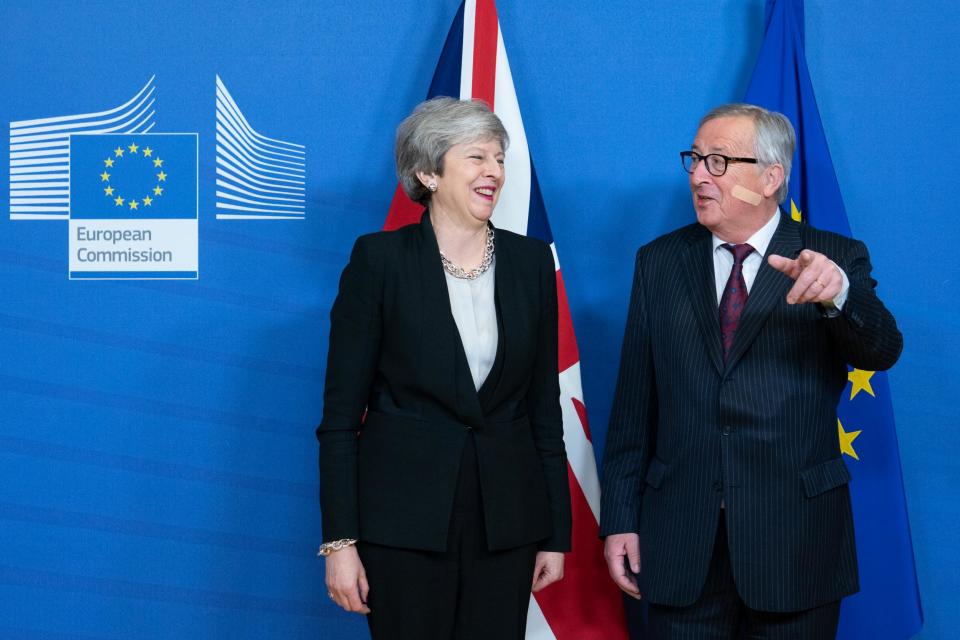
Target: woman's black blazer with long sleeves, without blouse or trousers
[(395, 351)]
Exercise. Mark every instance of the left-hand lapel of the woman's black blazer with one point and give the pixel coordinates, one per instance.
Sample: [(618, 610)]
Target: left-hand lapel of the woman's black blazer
[(440, 336)]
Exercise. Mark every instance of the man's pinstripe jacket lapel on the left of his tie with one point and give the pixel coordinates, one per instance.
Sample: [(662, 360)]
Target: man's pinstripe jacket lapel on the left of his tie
[(698, 275)]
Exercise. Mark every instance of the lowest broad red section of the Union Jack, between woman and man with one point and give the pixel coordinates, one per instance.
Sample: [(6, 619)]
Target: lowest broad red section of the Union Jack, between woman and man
[(586, 604)]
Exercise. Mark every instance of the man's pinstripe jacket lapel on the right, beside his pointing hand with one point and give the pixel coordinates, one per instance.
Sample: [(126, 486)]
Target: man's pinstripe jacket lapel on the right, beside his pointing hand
[(768, 289)]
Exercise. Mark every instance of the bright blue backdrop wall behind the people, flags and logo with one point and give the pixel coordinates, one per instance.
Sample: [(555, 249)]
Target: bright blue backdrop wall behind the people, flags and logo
[(157, 458)]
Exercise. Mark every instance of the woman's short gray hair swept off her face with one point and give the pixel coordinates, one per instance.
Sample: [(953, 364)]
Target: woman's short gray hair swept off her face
[(426, 135)]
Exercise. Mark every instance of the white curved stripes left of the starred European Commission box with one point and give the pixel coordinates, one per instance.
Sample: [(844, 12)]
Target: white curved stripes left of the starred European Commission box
[(40, 153)]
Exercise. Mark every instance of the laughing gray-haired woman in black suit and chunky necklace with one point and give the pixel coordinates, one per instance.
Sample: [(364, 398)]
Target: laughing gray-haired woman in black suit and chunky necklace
[(454, 484)]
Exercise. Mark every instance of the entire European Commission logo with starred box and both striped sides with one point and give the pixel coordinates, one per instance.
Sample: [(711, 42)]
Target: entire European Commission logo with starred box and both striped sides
[(131, 194)]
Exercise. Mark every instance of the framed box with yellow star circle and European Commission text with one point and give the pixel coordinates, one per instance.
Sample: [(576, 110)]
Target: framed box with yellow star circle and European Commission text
[(133, 206)]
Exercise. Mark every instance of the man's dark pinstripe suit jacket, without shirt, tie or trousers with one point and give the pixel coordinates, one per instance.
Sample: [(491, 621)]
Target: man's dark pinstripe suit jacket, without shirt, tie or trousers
[(758, 432)]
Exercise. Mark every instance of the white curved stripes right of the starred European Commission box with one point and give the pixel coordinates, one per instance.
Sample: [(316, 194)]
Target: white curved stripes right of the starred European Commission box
[(257, 177)]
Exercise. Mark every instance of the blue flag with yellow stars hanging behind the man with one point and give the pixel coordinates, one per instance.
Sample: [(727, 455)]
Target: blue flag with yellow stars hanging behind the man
[(888, 605)]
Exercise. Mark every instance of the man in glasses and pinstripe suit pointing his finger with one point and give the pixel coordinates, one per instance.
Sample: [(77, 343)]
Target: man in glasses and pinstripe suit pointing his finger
[(725, 498)]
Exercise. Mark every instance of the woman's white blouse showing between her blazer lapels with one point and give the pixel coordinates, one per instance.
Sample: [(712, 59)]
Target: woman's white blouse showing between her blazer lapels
[(475, 312)]
